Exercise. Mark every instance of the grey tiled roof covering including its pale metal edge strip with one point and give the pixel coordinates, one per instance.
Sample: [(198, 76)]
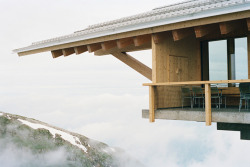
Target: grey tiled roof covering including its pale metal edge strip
[(179, 12)]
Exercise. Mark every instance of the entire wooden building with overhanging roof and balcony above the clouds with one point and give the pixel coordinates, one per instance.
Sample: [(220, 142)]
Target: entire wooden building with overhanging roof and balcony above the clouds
[(194, 43)]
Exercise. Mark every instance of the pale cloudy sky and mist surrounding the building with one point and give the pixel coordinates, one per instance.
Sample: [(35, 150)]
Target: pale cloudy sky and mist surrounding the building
[(98, 96)]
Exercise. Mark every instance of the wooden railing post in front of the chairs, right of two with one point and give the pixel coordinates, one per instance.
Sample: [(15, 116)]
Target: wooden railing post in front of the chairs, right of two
[(208, 105)]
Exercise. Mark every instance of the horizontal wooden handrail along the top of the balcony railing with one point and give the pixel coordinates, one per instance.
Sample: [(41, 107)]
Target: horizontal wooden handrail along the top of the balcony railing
[(196, 82)]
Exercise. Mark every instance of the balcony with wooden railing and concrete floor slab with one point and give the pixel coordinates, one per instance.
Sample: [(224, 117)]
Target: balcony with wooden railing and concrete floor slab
[(172, 107)]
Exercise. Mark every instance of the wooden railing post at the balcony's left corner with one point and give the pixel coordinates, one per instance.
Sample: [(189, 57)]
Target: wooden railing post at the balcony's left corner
[(151, 104)]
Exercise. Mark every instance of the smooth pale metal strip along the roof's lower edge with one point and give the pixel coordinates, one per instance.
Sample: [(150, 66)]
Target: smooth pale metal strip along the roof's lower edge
[(145, 25)]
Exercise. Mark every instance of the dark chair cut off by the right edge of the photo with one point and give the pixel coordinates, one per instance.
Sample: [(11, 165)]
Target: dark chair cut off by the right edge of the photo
[(244, 94)]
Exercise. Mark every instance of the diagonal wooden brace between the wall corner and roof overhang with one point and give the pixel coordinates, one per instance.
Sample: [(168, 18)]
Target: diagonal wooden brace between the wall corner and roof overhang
[(135, 64)]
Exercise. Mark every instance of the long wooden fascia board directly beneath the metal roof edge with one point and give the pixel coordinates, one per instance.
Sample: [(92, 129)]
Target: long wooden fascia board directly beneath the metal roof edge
[(168, 27)]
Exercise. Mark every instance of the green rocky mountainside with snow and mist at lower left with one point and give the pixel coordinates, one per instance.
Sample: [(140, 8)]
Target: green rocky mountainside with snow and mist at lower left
[(27, 142)]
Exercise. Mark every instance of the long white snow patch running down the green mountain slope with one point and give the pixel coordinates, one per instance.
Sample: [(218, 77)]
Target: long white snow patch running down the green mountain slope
[(68, 137)]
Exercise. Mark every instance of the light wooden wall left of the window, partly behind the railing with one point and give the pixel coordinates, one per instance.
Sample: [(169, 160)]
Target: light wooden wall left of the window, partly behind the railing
[(174, 61)]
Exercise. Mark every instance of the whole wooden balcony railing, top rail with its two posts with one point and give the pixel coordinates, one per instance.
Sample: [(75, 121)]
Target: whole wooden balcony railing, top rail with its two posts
[(208, 114)]
